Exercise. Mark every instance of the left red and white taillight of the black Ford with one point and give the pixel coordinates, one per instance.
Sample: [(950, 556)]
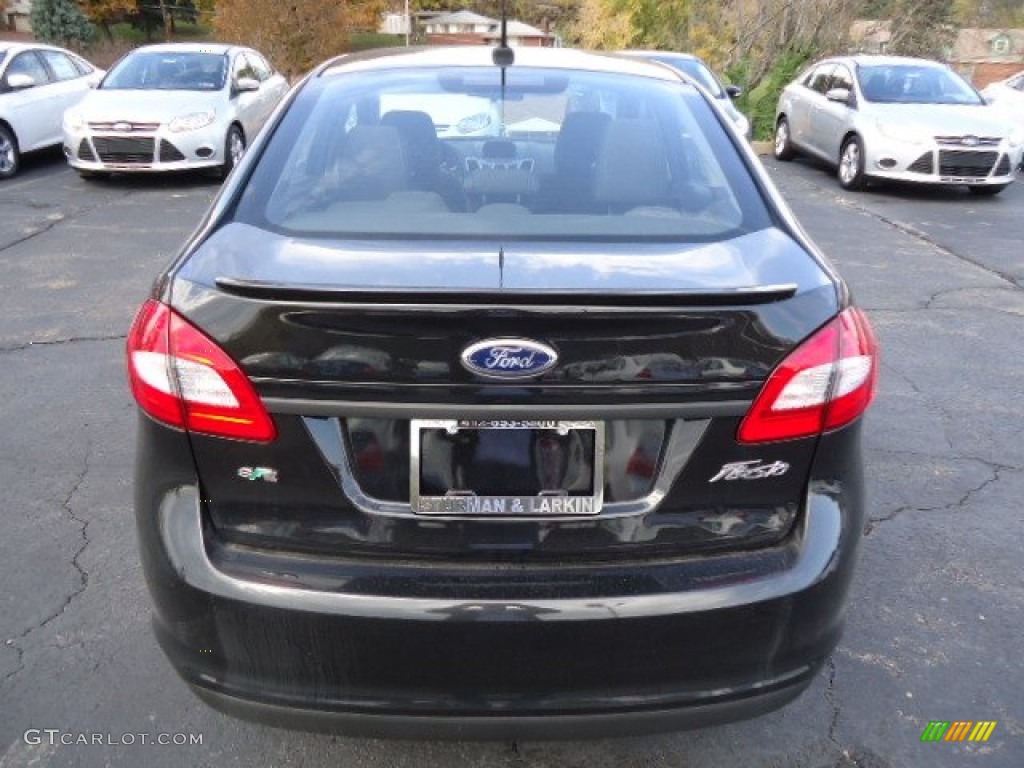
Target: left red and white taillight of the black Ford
[(182, 377)]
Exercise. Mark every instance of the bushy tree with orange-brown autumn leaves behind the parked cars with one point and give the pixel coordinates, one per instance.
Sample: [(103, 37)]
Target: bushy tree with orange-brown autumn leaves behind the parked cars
[(295, 34)]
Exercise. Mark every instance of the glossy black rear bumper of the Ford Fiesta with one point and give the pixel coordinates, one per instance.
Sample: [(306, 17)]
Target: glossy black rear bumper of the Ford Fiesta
[(536, 652)]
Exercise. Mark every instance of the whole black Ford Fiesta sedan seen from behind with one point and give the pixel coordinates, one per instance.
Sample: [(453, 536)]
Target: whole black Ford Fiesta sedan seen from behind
[(499, 402)]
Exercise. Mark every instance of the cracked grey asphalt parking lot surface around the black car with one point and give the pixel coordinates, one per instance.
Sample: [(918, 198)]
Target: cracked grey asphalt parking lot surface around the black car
[(937, 609)]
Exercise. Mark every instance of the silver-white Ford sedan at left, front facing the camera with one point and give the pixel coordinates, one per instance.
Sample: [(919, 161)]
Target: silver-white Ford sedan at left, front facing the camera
[(173, 108)]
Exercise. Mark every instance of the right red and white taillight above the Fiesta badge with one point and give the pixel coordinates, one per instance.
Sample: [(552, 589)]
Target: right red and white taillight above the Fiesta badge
[(827, 382)]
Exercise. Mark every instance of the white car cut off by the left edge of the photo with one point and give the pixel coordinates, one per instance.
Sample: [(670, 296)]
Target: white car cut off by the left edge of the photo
[(37, 84)]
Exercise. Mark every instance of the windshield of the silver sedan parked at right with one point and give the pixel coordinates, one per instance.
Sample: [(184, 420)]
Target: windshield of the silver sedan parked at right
[(915, 84)]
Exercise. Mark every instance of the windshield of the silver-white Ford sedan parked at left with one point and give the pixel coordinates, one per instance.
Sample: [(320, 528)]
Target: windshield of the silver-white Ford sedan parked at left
[(168, 71)]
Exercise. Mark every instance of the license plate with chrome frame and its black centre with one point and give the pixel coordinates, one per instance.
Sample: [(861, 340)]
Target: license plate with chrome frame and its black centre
[(506, 467)]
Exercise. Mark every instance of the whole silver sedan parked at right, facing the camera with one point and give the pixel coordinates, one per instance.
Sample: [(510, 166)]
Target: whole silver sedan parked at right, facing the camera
[(899, 119)]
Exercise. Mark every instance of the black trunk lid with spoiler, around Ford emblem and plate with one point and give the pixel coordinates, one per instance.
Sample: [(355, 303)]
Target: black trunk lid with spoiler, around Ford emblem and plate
[(348, 344)]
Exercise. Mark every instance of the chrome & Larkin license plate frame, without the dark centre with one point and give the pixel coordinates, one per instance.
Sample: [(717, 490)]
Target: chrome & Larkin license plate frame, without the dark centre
[(468, 504)]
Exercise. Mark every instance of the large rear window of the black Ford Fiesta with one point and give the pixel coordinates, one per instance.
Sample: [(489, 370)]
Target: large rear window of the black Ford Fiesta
[(465, 154)]
